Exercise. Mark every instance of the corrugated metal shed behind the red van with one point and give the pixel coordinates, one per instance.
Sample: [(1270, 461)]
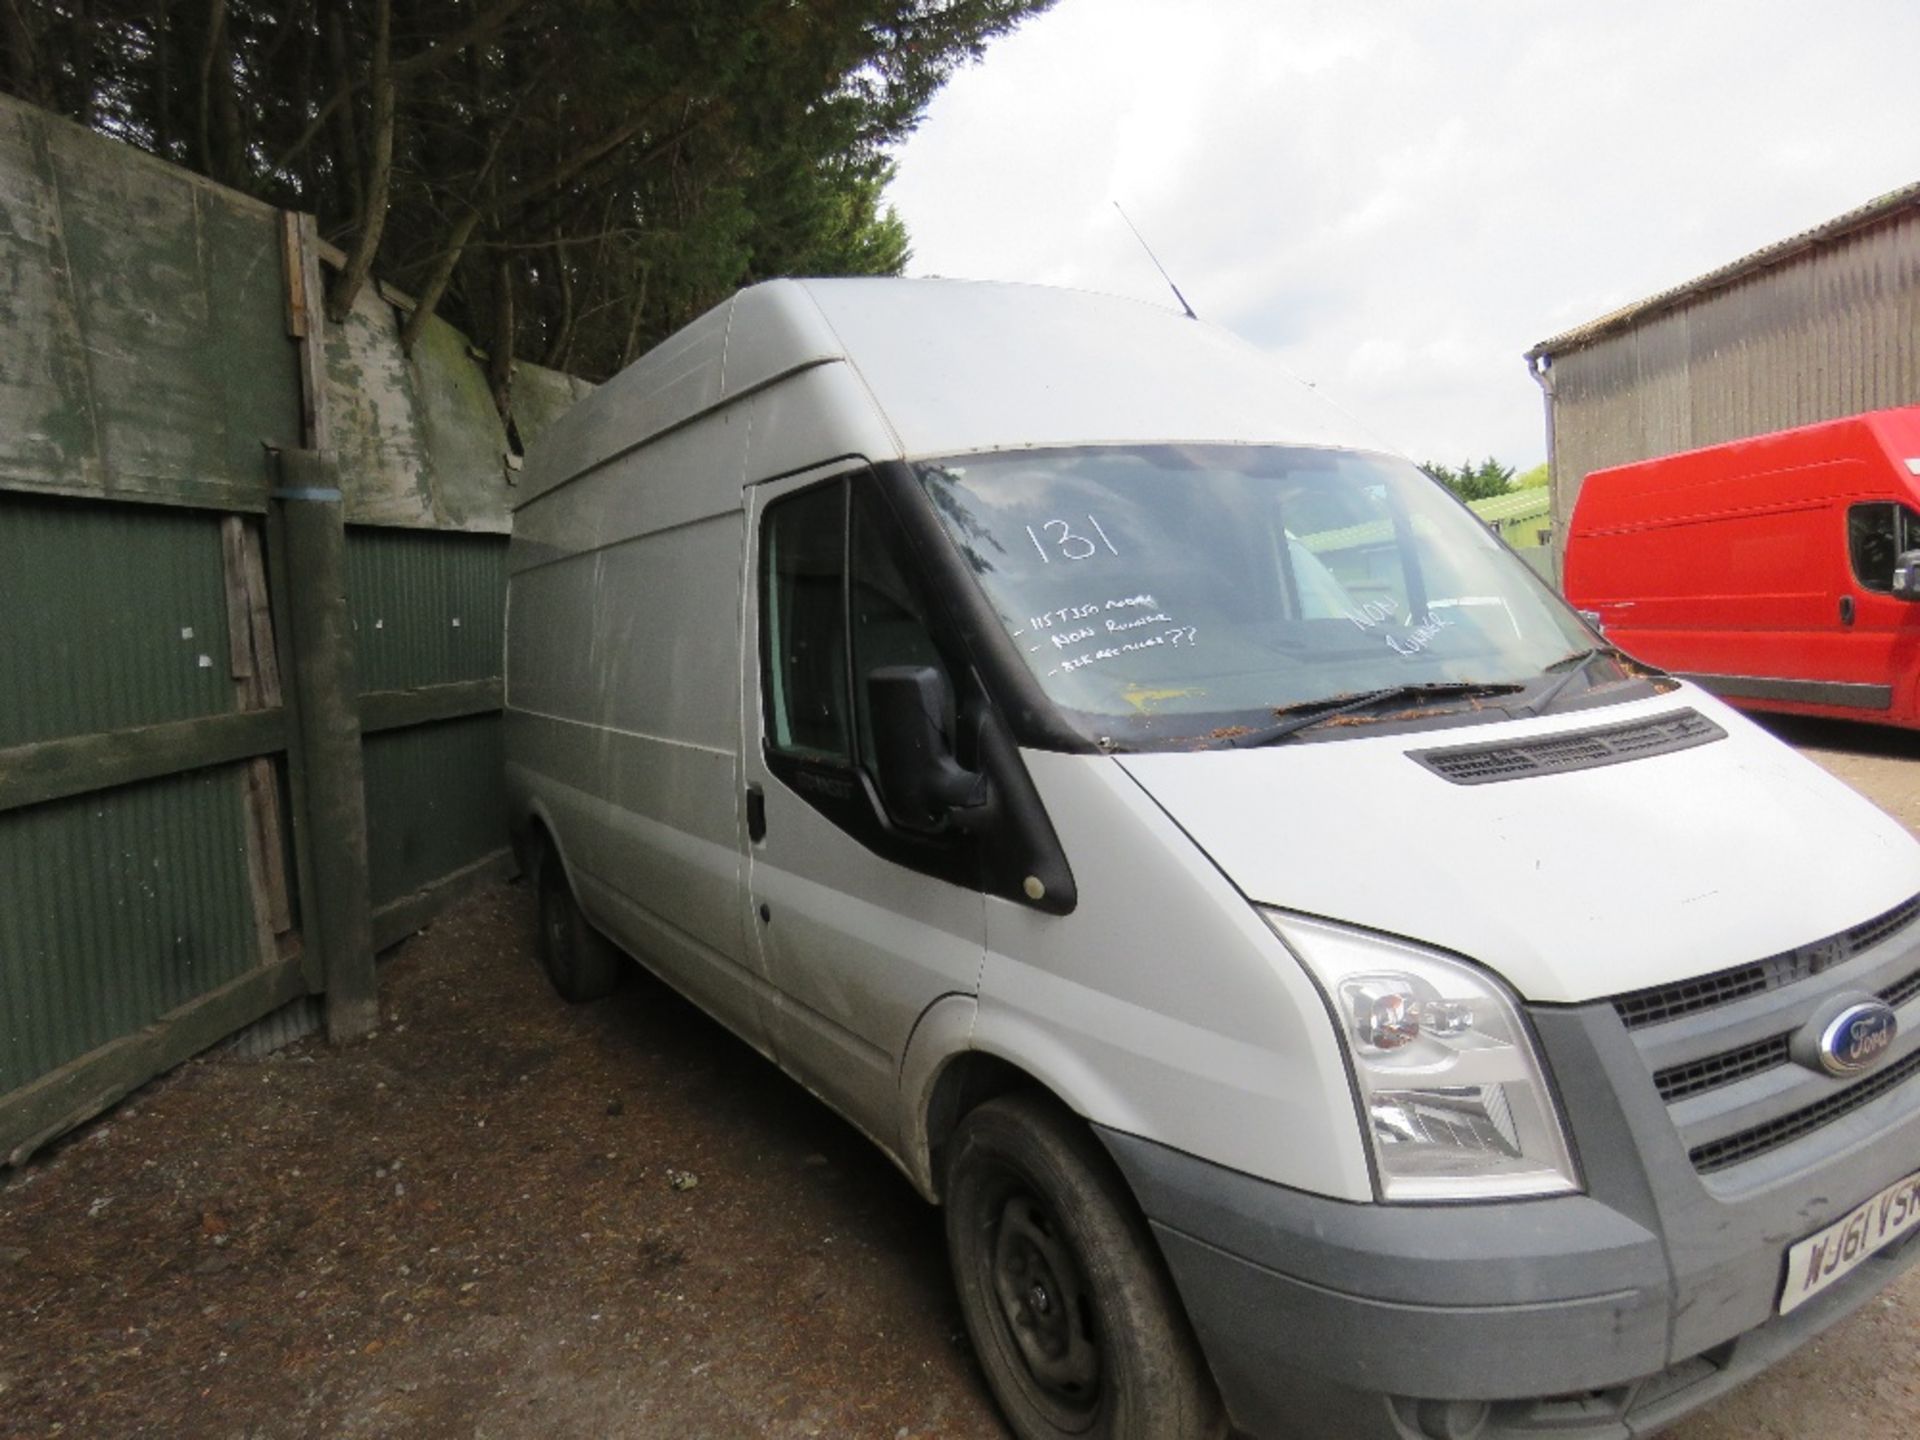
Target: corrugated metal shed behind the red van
[(1815, 327)]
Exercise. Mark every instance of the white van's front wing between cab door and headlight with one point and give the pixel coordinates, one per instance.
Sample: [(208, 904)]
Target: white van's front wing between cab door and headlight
[(1164, 1007)]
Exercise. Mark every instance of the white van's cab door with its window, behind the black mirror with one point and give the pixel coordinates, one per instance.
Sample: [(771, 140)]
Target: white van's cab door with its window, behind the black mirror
[(861, 928)]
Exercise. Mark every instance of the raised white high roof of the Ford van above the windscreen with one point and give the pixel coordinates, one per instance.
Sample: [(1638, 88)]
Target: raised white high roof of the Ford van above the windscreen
[(957, 368)]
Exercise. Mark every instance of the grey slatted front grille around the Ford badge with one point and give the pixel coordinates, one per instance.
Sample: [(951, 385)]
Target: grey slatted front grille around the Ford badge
[(1721, 1047)]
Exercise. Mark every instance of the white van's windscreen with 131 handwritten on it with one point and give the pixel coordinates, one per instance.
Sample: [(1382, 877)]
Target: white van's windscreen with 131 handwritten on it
[(1193, 590)]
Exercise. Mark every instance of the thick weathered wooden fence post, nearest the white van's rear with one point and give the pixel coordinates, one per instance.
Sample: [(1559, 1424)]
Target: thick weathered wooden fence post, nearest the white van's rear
[(325, 736)]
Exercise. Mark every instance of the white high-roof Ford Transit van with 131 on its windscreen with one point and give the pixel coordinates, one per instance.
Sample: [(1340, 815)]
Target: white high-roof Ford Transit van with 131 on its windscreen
[(1328, 988)]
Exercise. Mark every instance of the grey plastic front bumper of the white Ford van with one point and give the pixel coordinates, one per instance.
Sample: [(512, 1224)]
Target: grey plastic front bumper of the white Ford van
[(1606, 1314)]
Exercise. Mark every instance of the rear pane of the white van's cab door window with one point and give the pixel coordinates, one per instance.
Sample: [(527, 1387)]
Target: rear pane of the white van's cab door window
[(804, 550)]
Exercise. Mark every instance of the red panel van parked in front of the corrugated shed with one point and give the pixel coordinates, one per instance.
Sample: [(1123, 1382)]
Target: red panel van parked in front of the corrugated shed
[(1779, 571)]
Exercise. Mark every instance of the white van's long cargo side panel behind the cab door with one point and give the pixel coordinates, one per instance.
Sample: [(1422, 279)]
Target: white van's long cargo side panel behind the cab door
[(625, 683)]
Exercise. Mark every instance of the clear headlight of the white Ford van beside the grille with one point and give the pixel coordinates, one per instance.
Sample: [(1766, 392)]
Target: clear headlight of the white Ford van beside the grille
[(1454, 1099)]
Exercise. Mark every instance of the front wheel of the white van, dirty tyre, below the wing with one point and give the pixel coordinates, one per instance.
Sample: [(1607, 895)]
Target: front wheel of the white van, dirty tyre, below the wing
[(1063, 1287)]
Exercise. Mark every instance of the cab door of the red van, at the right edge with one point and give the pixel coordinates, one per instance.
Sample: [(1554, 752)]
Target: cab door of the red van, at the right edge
[(1879, 650)]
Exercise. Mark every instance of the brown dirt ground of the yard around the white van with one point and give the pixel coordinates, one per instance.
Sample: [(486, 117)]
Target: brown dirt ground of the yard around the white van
[(510, 1218)]
